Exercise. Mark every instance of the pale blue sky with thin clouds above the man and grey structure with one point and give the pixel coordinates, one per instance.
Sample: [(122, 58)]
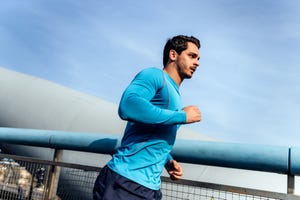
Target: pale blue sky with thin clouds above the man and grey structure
[(247, 86)]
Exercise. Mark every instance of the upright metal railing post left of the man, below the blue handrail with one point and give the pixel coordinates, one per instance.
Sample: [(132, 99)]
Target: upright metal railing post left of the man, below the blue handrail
[(54, 175)]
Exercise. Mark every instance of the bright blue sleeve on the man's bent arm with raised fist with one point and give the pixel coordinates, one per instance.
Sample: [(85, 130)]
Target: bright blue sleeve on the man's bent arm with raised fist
[(135, 103)]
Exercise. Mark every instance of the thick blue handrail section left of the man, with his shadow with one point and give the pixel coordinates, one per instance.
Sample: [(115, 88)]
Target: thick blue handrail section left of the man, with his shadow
[(90, 142)]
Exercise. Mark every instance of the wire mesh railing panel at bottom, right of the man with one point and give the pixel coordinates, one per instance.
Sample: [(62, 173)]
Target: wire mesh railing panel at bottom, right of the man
[(195, 190)]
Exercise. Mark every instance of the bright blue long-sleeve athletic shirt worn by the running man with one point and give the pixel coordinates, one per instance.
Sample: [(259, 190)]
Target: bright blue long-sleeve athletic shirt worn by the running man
[(152, 106)]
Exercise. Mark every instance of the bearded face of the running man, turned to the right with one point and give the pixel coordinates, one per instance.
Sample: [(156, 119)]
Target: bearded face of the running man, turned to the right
[(188, 61)]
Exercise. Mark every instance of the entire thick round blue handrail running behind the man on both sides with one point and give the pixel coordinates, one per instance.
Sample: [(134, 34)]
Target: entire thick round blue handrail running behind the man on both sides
[(285, 160)]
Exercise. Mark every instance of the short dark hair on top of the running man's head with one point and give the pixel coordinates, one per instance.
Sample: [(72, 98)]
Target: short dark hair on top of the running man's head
[(179, 44)]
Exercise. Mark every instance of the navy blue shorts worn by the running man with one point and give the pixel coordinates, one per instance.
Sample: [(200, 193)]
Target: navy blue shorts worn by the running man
[(112, 186)]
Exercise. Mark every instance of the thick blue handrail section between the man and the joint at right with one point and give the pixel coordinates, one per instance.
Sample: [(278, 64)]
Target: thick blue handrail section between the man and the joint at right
[(242, 156)]
